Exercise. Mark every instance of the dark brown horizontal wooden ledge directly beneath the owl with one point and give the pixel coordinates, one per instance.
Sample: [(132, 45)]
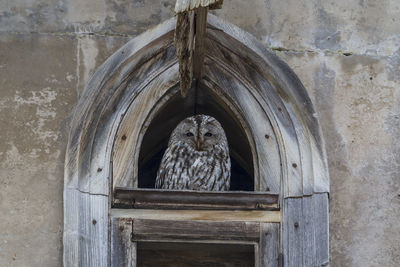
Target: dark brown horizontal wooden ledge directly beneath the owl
[(142, 198)]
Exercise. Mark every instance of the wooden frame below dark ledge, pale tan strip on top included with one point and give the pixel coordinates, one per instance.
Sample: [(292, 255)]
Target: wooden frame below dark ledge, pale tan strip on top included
[(258, 228)]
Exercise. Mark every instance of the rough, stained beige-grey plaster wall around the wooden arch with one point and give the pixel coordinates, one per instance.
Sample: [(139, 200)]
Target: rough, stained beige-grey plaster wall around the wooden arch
[(347, 53)]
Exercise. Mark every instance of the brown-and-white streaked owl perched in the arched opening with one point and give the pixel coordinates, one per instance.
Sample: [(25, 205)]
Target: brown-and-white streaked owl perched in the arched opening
[(197, 157)]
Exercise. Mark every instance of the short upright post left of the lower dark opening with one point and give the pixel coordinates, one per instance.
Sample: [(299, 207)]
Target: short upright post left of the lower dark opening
[(123, 250)]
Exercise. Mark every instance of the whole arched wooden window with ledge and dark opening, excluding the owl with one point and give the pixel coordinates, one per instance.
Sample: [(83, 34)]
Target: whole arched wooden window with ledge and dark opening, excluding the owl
[(121, 127)]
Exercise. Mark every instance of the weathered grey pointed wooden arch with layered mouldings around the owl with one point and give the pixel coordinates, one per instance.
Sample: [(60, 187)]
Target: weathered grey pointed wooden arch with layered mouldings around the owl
[(253, 84)]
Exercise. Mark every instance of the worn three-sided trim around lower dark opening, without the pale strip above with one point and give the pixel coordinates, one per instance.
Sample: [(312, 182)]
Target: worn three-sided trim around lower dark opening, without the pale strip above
[(126, 232)]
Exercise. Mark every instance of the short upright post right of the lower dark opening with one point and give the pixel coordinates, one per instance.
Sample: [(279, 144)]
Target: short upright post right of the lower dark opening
[(269, 244)]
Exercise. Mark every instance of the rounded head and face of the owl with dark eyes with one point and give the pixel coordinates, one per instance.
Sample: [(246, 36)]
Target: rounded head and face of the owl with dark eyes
[(200, 132)]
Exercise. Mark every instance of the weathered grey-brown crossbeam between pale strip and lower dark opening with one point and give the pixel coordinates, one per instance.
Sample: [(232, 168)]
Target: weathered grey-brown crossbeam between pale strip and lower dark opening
[(163, 230)]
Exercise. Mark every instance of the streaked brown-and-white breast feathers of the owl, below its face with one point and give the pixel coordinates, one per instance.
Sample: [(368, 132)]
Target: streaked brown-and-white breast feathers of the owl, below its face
[(184, 168)]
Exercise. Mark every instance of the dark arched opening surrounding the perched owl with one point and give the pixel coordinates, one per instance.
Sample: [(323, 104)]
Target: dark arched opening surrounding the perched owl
[(155, 140)]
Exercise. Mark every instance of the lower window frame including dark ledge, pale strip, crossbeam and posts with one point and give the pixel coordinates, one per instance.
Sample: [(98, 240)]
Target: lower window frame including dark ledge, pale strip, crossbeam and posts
[(230, 217)]
